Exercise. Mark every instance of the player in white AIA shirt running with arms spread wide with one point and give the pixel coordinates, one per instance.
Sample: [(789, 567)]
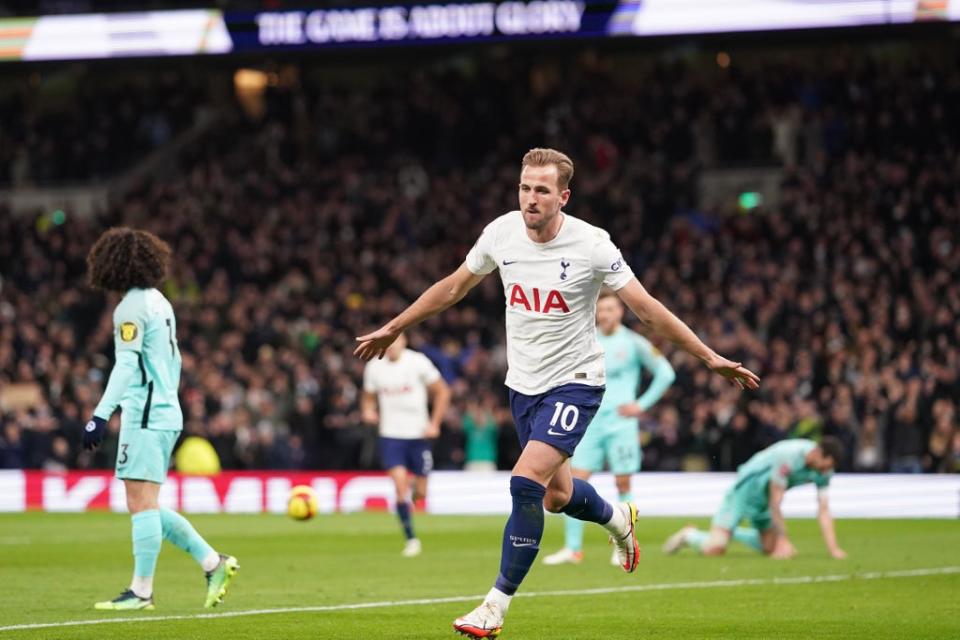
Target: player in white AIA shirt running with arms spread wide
[(552, 266)]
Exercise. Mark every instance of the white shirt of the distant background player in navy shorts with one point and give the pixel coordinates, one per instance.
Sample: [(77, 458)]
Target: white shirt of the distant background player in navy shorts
[(401, 389)]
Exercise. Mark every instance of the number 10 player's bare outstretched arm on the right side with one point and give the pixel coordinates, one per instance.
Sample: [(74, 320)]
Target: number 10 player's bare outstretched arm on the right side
[(652, 313)]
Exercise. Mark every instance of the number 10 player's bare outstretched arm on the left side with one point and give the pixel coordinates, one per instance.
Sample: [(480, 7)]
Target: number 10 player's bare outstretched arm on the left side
[(440, 296)]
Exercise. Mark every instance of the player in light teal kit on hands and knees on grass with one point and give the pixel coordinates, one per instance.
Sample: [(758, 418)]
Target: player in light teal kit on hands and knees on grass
[(762, 481)]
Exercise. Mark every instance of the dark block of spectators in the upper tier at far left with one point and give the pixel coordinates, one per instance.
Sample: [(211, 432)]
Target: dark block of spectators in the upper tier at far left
[(75, 129)]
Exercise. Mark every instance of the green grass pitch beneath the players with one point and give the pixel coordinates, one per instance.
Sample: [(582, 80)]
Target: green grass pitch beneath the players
[(902, 580)]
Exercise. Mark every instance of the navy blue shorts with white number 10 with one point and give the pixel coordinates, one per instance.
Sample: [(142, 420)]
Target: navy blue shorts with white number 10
[(559, 417)]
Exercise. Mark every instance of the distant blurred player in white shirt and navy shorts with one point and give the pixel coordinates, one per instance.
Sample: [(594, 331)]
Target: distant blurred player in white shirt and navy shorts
[(400, 385)]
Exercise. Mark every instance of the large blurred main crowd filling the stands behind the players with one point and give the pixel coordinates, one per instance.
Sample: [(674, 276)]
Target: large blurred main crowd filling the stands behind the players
[(298, 230)]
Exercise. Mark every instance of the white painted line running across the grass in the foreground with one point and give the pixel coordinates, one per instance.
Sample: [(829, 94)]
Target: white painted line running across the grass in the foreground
[(715, 584)]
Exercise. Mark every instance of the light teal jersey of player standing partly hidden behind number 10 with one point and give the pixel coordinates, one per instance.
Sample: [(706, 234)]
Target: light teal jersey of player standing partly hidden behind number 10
[(626, 354)]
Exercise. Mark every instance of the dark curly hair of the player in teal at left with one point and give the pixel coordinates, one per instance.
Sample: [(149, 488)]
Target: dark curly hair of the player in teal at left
[(124, 258)]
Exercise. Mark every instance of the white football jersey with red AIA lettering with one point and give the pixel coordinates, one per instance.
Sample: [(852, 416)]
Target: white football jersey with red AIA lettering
[(551, 291)]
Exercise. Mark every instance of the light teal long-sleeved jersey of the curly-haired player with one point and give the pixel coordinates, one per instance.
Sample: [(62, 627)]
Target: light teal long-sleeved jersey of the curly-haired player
[(146, 375)]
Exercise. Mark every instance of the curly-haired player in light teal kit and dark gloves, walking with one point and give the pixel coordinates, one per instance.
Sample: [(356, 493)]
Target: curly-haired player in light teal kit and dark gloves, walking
[(144, 384)]
